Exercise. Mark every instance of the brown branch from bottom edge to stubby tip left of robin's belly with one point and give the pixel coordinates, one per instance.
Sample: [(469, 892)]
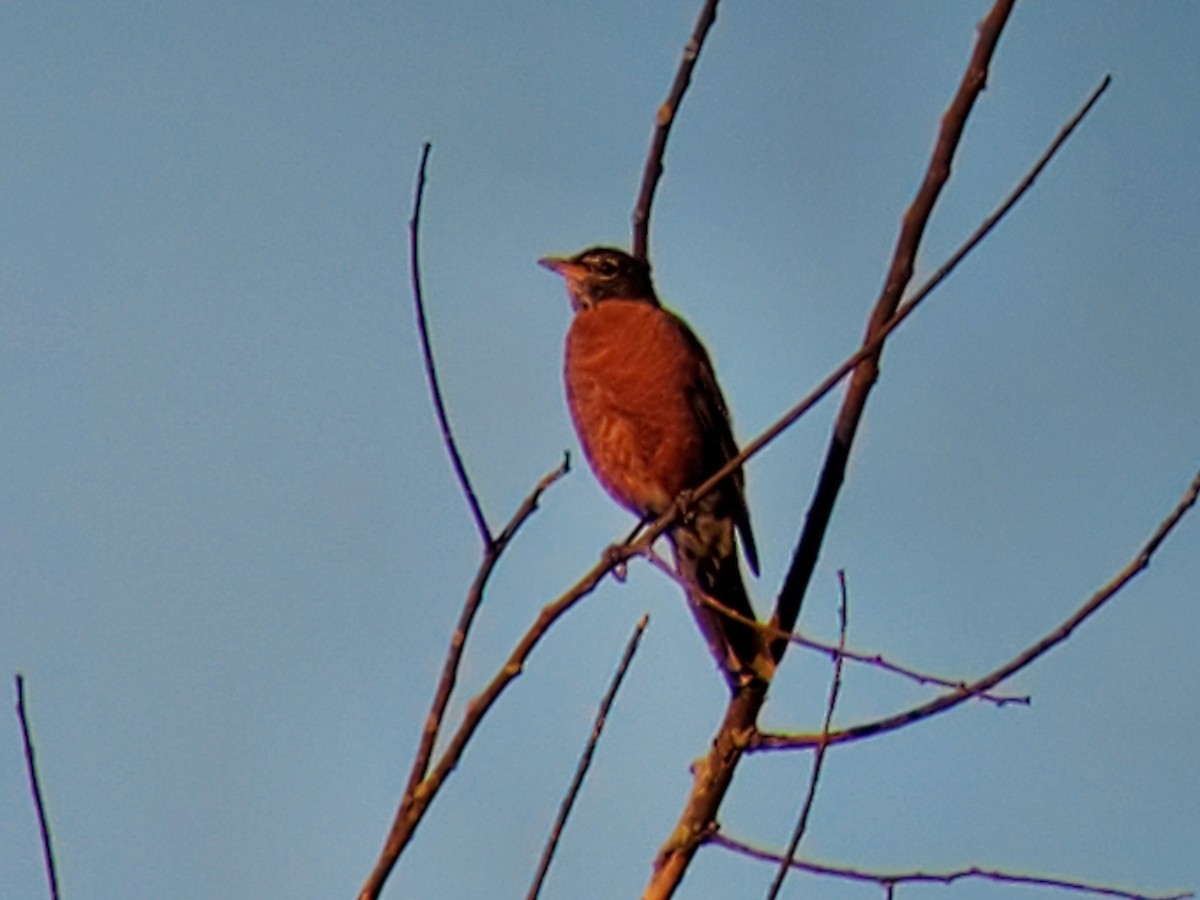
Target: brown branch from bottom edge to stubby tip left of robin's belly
[(405, 823)]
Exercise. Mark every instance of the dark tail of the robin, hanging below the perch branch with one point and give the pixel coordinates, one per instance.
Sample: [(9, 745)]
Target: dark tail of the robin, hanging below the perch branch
[(707, 560)]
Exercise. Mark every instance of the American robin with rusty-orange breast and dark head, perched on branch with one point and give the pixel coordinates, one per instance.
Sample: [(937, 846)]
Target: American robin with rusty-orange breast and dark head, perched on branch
[(653, 424)]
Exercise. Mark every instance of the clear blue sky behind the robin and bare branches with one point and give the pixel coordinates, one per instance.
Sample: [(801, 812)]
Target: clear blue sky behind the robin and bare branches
[(233, 549)]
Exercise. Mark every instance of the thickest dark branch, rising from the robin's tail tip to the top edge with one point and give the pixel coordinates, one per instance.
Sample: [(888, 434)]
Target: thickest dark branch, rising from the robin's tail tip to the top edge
[(817, 523)]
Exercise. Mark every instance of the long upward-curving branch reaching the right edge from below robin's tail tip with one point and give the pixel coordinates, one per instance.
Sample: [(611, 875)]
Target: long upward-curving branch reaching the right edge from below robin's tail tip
[(949, 701)]
